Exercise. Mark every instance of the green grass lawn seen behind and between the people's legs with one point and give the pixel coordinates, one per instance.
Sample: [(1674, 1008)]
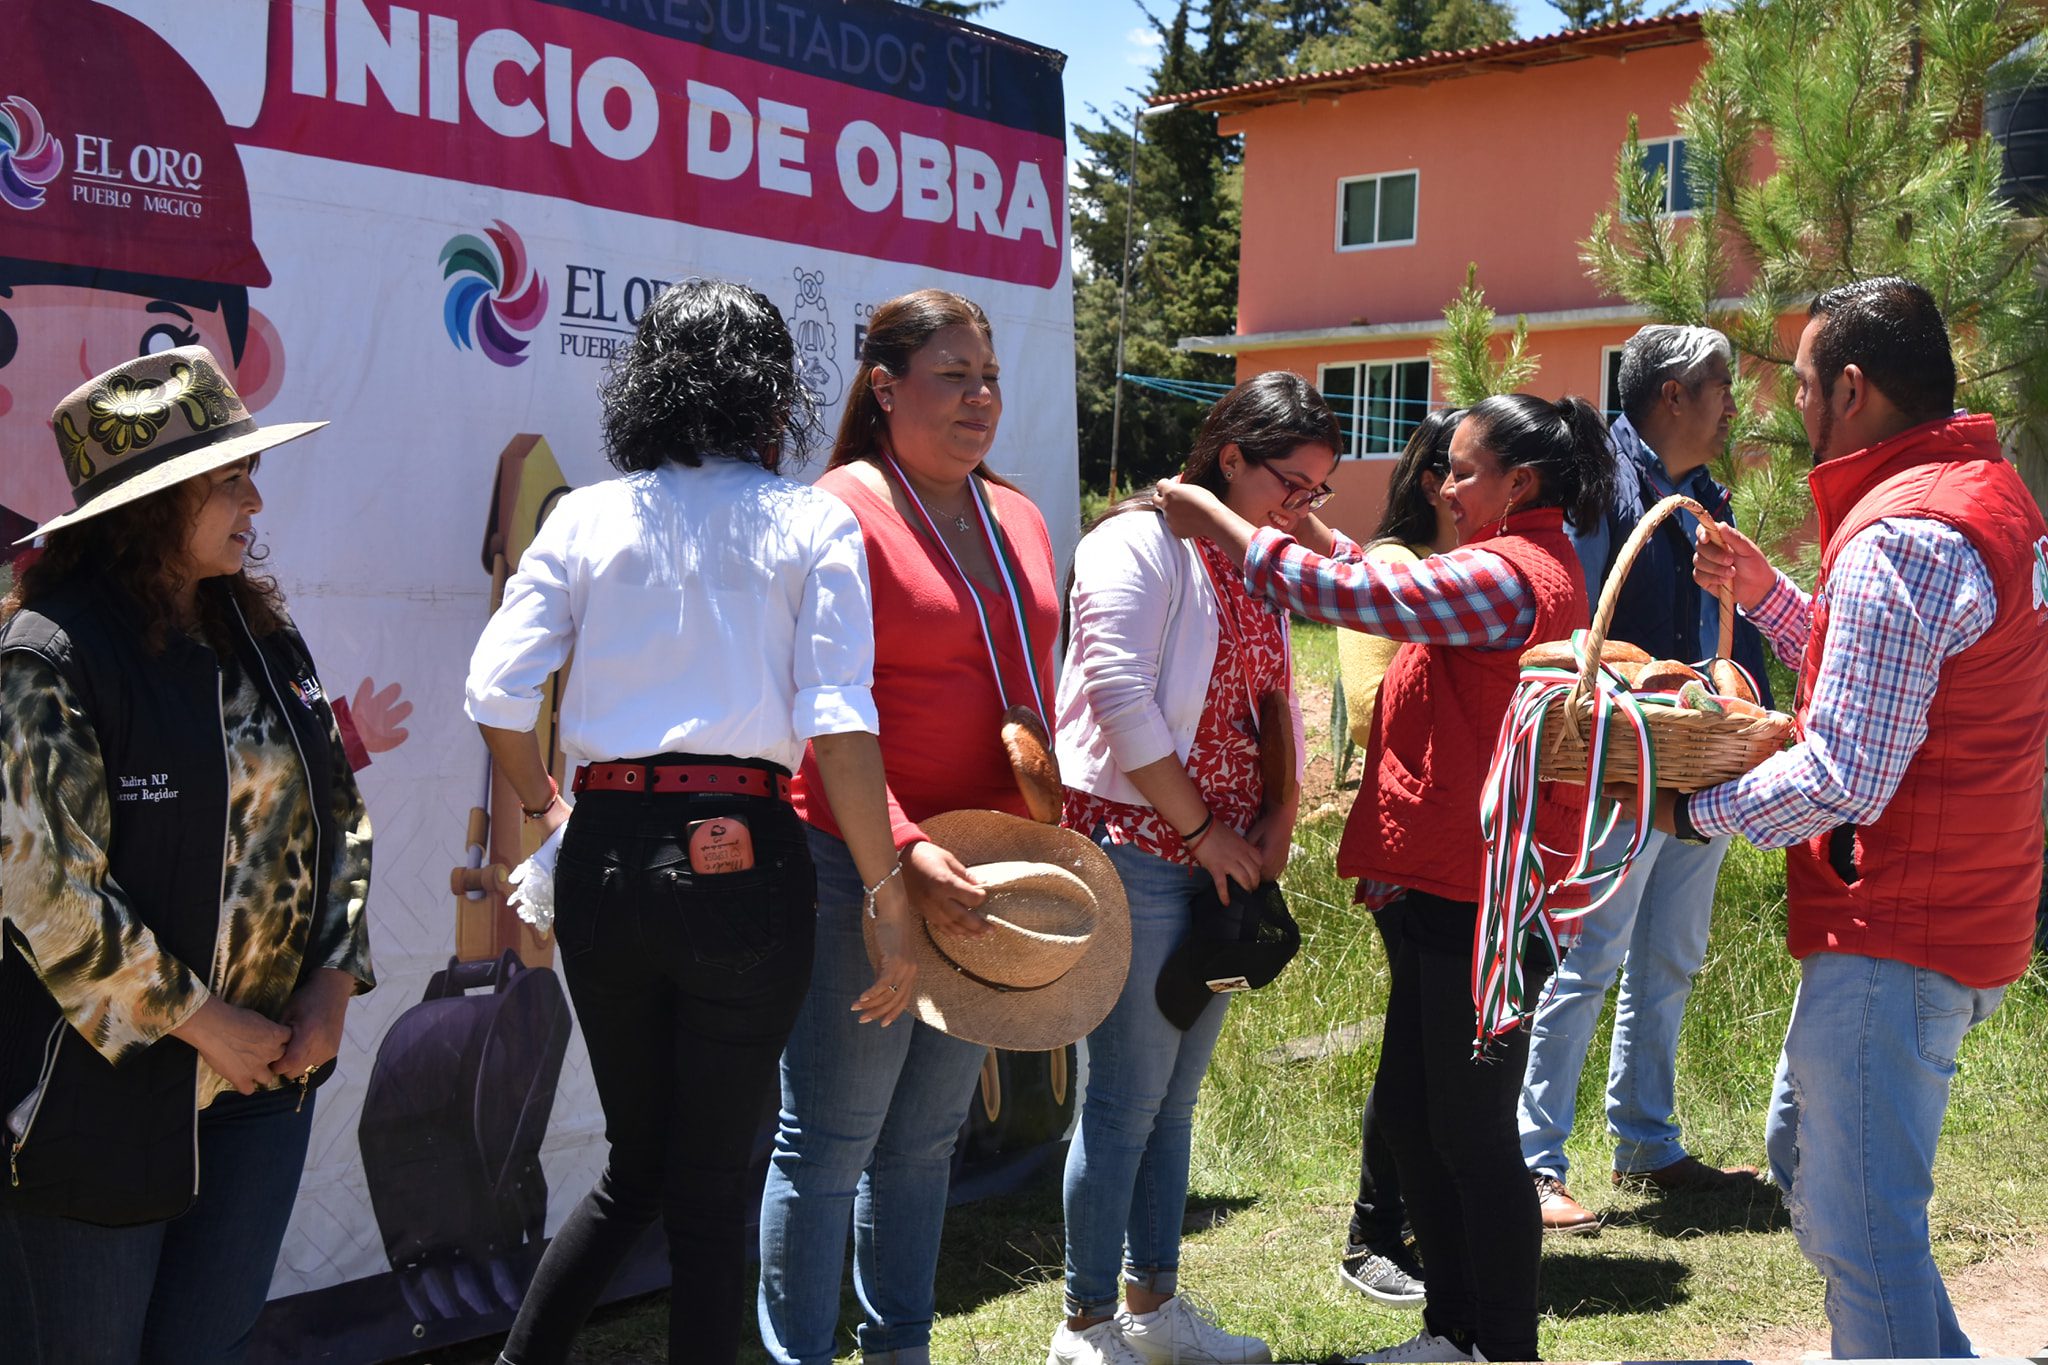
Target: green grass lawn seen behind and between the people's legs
[(1277, 1159)]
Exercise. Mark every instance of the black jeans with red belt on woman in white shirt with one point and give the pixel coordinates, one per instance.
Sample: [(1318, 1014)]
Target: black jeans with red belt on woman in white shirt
[(685, 989)]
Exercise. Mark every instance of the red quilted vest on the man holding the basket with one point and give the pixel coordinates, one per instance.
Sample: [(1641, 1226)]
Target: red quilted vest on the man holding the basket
[(1951, 875)]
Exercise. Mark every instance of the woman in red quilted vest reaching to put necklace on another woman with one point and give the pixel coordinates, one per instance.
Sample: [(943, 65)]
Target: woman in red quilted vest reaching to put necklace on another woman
[(1519, 470)]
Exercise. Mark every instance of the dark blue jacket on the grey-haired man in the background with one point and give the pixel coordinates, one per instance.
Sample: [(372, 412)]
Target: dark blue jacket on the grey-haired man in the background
[(1660, 605)]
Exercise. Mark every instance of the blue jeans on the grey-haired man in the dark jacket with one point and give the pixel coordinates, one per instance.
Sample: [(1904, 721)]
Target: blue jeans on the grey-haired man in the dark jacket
[(1654, 932)]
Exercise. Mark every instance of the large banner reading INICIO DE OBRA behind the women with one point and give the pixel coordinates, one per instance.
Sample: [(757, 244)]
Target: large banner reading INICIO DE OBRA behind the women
[(433, 224)]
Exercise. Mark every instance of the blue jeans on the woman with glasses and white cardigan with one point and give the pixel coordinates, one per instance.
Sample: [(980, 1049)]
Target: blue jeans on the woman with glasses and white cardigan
[(1127, 1170)]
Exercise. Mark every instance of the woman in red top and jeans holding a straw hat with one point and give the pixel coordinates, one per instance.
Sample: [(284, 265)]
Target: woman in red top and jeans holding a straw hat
[(966, 615)]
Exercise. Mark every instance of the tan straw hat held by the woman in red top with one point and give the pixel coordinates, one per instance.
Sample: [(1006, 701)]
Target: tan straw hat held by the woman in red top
[(1060, 946)]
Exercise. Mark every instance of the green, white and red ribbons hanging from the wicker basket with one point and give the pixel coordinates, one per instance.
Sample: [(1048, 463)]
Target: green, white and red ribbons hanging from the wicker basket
[(1514, 897)]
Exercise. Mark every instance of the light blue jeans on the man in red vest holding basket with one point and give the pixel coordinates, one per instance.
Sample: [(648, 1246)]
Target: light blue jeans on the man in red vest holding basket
[(1863, 1088)]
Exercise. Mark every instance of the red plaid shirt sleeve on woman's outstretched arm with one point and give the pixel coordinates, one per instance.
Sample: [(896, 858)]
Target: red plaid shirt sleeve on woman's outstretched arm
[(1465, 597)]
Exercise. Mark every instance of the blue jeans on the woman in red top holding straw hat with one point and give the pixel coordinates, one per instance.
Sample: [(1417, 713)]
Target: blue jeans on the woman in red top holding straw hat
[(869, 1118)]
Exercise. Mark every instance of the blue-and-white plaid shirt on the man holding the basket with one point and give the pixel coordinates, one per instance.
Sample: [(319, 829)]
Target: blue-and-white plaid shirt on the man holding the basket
[(1906, 597)]
